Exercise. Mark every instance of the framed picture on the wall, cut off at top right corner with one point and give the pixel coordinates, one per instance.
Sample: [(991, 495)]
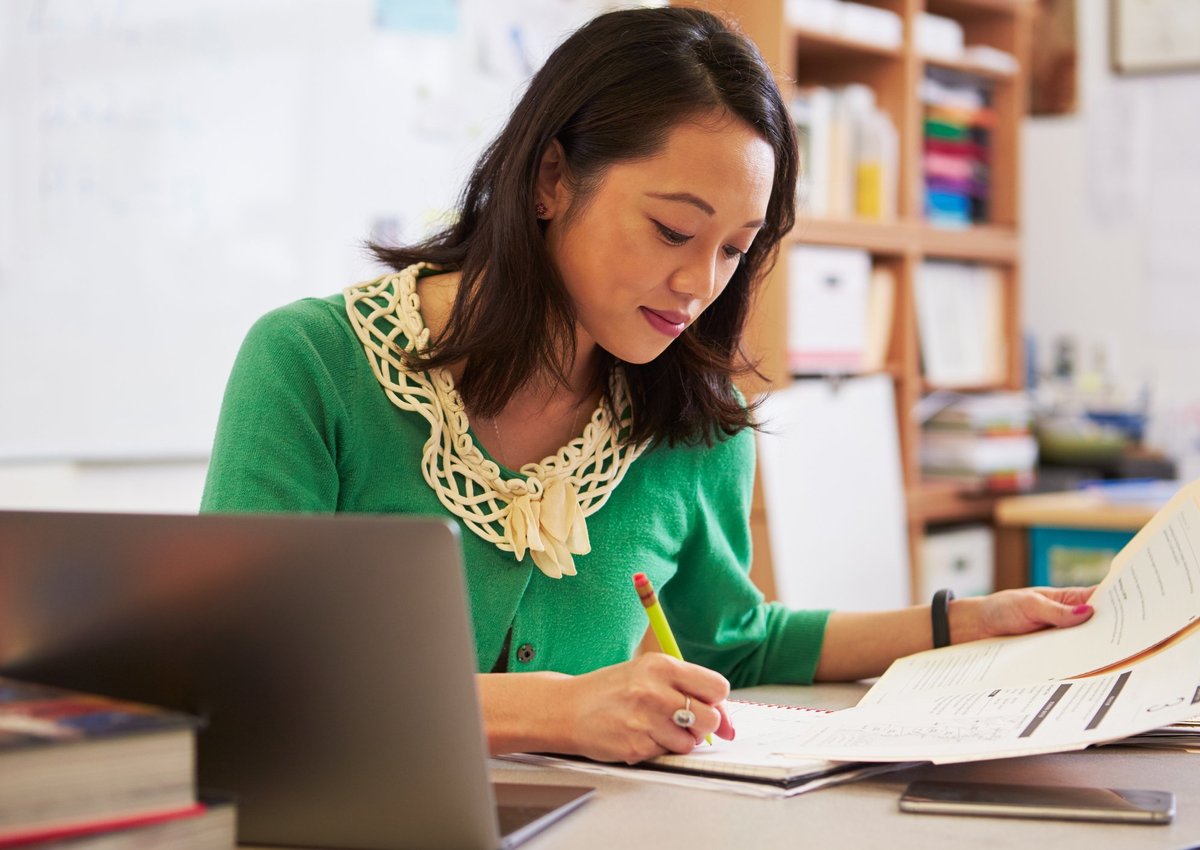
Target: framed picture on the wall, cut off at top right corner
[(1155, 37)]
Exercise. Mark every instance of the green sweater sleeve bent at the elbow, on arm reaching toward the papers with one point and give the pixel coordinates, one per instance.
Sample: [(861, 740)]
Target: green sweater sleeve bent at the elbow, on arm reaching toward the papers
[(718, 615)]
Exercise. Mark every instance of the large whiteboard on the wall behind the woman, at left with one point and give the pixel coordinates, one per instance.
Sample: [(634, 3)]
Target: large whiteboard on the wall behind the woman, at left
[(172, 171)]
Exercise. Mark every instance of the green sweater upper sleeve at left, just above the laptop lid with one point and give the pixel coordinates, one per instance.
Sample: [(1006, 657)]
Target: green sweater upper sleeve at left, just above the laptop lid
[(285, 416)]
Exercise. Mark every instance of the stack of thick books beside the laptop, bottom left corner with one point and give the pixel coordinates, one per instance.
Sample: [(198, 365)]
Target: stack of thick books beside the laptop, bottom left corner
[(87, 773)]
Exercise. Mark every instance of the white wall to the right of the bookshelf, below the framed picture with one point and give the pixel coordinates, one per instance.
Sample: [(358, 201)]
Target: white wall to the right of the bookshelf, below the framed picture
[(1111, 235)]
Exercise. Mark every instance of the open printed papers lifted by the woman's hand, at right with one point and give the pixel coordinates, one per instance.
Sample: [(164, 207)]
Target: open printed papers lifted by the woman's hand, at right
[(1130, 669)]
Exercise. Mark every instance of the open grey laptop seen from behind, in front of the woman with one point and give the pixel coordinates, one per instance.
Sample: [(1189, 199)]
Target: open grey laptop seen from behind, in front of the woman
[(329, 657)]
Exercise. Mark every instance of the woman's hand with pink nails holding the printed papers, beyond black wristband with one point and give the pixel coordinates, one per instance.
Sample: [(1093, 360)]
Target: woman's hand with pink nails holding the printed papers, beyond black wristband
[(1015, 613)]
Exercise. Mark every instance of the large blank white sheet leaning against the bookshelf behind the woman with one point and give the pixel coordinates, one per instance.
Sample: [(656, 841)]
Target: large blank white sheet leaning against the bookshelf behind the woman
[(835, 496)]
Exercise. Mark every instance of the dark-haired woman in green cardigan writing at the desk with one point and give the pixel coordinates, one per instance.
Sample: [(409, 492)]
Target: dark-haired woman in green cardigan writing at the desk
[(555, 370)]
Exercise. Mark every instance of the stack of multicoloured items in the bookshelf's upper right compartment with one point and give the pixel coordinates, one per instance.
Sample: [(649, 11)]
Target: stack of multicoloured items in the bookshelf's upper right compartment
[(959, 122)]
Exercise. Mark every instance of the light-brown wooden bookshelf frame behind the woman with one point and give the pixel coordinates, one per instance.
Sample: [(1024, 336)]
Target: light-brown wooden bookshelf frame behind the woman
[(803, 57)]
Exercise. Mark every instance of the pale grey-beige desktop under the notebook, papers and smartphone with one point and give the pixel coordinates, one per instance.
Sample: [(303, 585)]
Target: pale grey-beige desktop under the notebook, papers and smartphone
[(632, 815)]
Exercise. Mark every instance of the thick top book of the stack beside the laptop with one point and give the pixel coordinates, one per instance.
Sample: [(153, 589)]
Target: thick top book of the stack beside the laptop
[(70, 759)]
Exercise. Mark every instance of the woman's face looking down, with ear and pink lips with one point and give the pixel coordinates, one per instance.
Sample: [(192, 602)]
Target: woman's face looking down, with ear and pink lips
[(661, 238)]
